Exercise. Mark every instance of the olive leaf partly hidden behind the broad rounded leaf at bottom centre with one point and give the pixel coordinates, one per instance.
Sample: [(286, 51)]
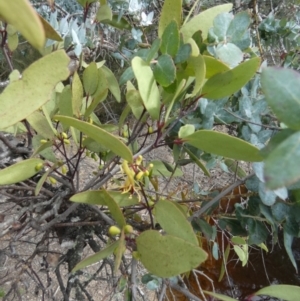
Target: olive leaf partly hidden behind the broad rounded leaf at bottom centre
[(174, 222)]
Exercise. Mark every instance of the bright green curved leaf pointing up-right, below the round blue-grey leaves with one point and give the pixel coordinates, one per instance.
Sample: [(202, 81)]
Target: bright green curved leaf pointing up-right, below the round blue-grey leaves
[(227, 83)]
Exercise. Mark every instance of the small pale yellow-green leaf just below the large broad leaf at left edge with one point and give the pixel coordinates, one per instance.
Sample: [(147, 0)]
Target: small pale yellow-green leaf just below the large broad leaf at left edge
[(40, 124)]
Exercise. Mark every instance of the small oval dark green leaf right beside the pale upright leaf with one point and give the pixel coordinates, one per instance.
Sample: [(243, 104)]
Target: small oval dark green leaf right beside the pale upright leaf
[(164, 70)]
